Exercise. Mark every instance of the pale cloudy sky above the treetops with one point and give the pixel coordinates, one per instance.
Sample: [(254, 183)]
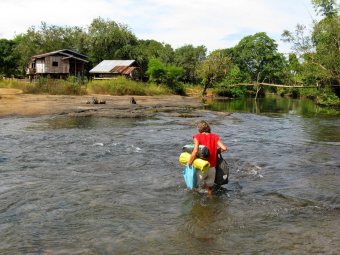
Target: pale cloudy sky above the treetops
[(216, 24)]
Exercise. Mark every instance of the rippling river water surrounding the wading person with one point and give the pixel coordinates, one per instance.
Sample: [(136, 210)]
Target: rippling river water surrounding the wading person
[(114, 186)]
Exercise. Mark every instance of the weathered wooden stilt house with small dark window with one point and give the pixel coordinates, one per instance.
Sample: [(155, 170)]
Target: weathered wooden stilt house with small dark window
[(57, 64)]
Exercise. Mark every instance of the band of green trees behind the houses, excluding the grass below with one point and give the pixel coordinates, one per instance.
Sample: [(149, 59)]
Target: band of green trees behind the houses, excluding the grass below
[(314, 60)]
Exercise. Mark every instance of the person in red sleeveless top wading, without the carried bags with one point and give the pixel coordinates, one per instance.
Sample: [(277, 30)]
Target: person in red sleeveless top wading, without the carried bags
[(213, 142)]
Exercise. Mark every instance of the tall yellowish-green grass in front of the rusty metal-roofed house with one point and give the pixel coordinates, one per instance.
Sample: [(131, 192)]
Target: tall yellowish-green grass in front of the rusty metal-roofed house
[(123, 86)]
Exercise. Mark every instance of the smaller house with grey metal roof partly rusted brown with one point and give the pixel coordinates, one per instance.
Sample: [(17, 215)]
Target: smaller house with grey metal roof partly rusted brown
[(108, 69)]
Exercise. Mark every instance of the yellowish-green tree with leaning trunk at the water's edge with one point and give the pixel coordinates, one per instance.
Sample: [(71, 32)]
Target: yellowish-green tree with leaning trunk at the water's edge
[(213, 69)]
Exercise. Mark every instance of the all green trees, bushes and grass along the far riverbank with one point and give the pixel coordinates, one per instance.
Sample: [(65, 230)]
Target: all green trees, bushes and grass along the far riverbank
[(314, 61)]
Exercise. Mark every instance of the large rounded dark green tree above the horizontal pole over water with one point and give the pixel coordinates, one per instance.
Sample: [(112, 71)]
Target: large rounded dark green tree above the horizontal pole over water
[(257, 56)]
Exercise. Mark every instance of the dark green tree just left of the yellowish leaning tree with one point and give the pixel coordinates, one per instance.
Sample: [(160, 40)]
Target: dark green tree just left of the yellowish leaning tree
[(189, 57)]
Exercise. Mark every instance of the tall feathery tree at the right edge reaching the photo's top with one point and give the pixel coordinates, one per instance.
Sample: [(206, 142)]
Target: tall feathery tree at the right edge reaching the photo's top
[(319, 49)]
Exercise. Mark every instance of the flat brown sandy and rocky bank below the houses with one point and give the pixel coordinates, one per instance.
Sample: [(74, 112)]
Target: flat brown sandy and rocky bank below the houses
[(14, 103)]
